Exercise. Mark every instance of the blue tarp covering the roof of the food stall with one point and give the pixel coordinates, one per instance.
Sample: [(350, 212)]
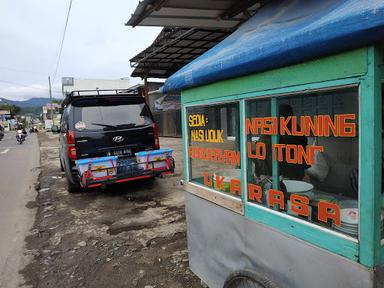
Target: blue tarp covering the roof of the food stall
[(282, 33)]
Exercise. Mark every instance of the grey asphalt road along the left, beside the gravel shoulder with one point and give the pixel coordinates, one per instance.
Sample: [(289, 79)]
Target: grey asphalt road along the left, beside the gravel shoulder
[(18, 173)]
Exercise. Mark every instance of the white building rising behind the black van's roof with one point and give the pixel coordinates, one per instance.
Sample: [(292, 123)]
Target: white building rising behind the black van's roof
[(70, 84)]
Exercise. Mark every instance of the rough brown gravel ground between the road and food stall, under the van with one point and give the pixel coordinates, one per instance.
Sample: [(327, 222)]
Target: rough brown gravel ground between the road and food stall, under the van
[(131, 235)]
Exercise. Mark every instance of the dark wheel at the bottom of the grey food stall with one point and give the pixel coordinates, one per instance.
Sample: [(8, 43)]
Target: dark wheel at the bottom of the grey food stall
[(247, 279)]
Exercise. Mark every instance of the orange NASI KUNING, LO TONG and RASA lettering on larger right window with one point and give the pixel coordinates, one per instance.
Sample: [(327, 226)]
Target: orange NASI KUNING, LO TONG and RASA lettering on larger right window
[(342, 125)]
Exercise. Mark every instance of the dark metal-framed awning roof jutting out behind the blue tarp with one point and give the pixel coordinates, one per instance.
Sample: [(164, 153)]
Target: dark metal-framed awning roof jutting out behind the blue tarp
[(175, 46)]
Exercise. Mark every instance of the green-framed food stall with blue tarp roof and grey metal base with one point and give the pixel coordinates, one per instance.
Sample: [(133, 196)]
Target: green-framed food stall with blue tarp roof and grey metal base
[(283, 149)]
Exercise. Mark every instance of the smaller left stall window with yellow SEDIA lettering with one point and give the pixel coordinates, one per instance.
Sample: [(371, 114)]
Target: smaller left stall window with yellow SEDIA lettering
[(214, 147)]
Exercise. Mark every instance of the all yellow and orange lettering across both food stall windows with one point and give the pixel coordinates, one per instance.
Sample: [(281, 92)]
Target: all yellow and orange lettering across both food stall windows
[(339, 125)]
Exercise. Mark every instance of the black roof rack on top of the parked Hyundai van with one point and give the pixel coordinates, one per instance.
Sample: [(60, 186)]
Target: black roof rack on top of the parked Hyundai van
[(96, 93)]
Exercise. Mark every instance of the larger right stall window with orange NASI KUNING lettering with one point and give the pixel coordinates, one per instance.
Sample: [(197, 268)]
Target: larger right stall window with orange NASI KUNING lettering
[(311, 143)]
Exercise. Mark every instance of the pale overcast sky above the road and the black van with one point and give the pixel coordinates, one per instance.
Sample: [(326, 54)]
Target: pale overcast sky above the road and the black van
[(97, 44)]
